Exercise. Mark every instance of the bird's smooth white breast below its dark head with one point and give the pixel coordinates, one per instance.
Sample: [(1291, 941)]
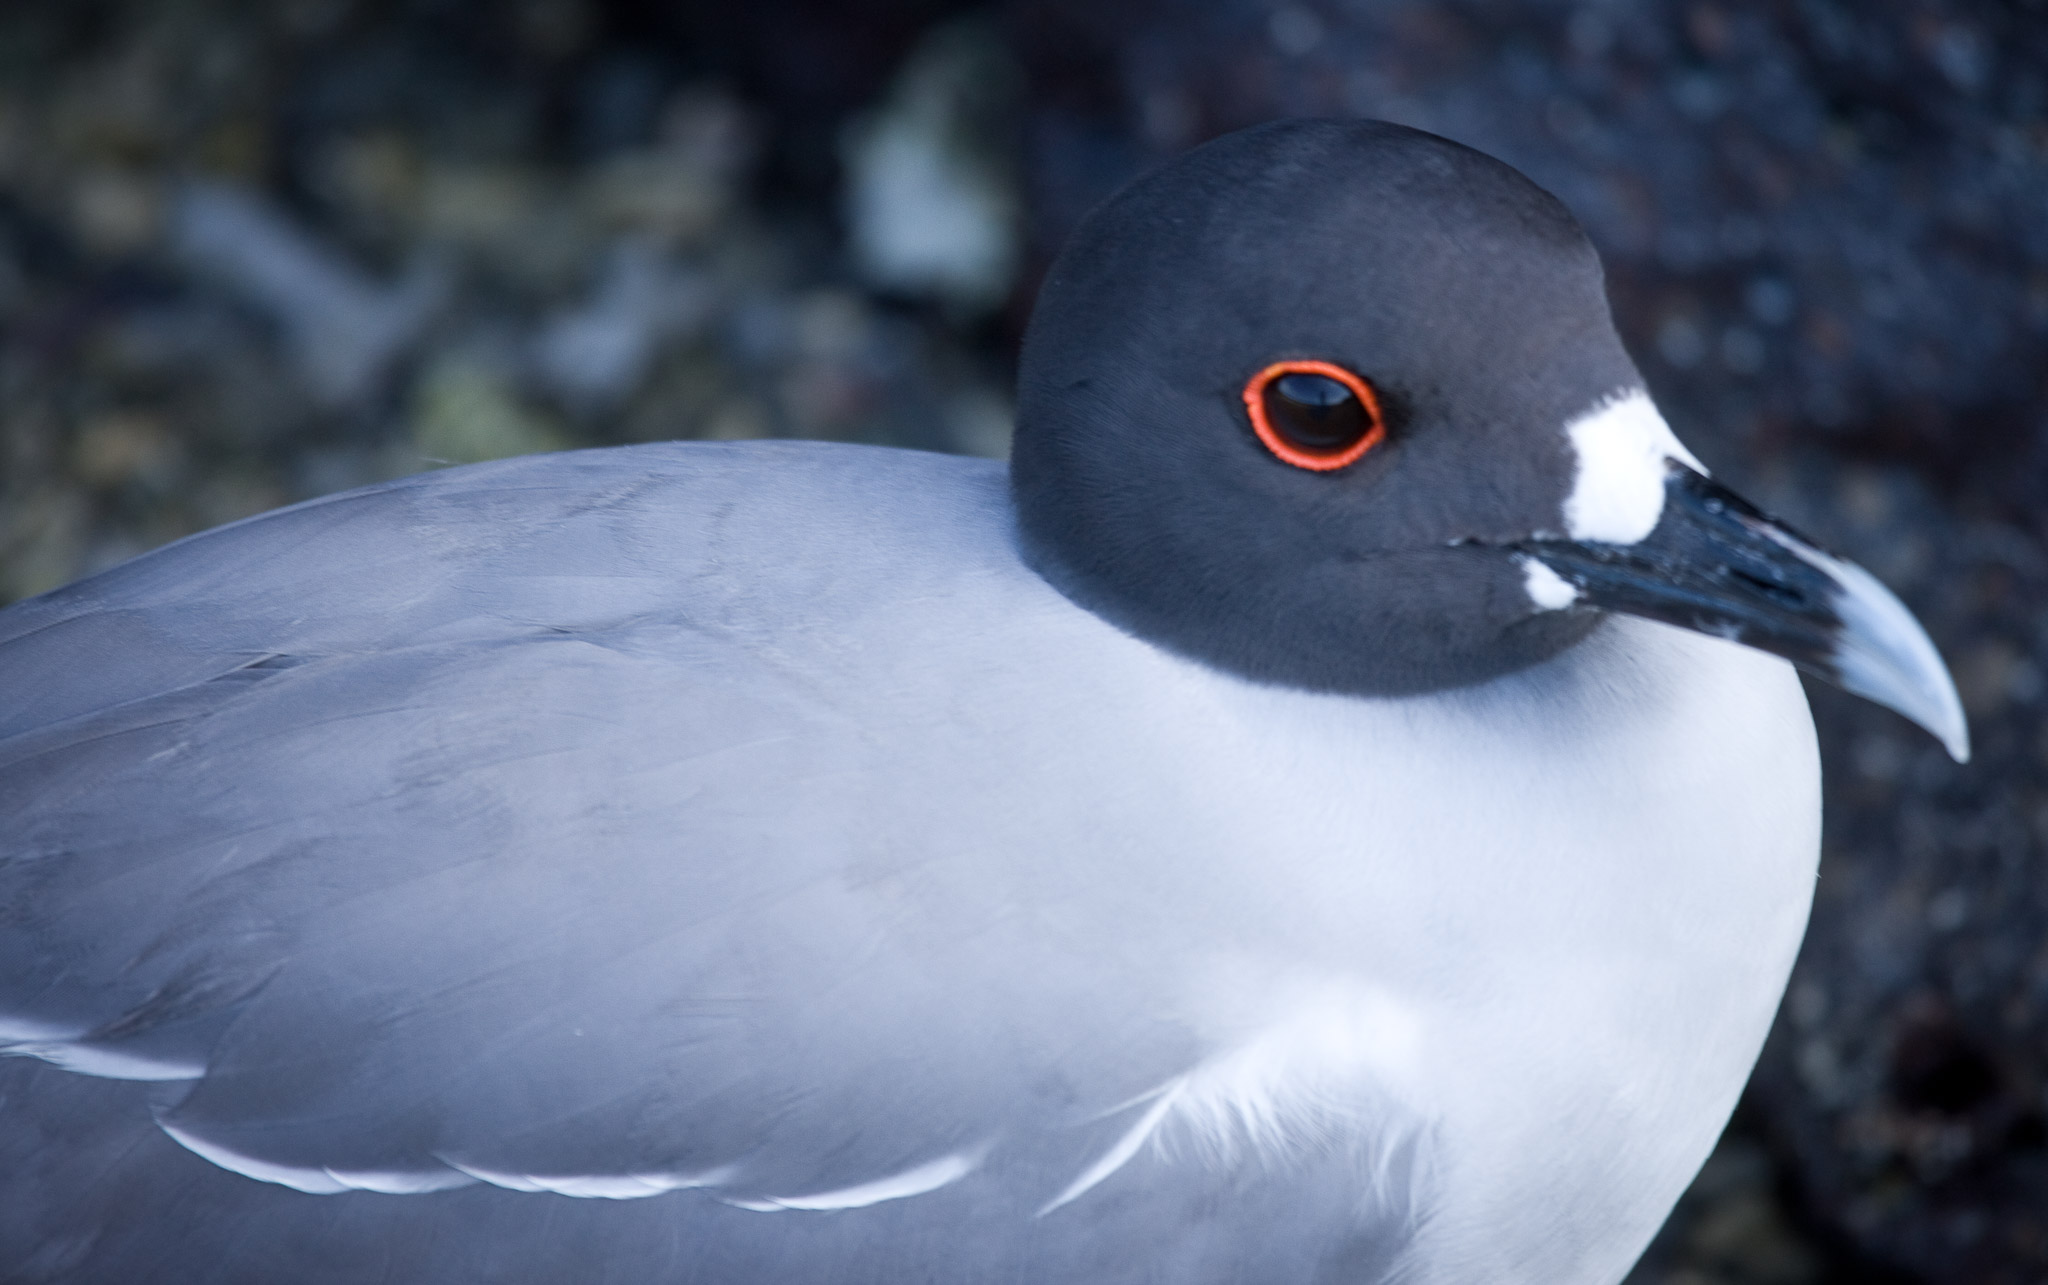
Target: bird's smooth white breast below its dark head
[(1545, 923)]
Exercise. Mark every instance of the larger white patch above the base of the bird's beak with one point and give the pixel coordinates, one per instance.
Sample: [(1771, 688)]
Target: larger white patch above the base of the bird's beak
[(1623, 446)]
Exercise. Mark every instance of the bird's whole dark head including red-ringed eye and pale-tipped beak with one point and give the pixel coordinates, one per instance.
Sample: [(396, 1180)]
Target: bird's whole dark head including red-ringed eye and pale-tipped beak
[(1467, 479)]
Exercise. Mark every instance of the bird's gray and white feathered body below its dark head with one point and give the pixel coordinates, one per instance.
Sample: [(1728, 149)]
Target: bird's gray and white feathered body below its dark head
[(1226, 901)]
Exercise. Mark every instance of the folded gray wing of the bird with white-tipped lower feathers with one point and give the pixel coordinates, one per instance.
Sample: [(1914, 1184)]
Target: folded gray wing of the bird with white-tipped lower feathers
[(423, 905)]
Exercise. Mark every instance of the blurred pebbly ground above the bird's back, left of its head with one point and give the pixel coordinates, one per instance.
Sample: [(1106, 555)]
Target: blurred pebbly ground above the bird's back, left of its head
[(255, 253)]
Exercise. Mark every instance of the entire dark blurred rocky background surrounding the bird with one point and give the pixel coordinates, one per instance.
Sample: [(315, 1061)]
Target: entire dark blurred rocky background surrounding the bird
[(263, 251)]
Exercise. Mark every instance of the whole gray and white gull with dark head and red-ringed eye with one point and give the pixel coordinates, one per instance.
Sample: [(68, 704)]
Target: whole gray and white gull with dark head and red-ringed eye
[(1334, 806)]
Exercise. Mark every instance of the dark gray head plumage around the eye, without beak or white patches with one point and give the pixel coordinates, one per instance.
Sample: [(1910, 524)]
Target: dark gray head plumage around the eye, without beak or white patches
[(1461, 292)]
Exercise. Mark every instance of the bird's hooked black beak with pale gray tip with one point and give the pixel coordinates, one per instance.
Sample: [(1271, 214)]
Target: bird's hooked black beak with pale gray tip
[(1719, 567)]
